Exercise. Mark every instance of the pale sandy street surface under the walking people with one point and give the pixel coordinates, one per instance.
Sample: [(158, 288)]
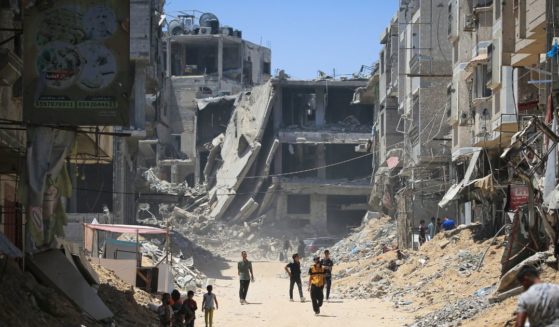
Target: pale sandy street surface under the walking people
[(269, 304)]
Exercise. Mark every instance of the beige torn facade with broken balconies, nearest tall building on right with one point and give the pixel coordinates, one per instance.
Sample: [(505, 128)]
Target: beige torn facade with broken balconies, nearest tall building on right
[(496, 53)]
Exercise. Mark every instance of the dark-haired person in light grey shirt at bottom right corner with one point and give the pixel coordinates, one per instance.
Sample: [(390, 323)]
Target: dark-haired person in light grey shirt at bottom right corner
[(539, 303)]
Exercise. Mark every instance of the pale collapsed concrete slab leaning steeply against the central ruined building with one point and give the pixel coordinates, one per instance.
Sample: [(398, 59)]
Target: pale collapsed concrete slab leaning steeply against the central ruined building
[(241, 145)]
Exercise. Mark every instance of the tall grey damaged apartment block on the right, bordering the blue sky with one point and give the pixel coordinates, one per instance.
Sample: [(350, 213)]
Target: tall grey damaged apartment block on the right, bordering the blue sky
[(411, 135)]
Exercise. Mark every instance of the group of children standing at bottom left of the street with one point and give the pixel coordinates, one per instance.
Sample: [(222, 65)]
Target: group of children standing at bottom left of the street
[(178, 313)]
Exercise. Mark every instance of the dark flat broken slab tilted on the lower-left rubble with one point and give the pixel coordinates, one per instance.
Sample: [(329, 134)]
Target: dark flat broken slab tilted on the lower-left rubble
[(53, 268)]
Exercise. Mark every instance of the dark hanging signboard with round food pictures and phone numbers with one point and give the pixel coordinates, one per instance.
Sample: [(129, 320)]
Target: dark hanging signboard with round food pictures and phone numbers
[(76, 55)]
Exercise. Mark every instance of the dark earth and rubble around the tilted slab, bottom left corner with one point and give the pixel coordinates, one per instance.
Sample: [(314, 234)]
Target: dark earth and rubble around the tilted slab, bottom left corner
[(26, 302)]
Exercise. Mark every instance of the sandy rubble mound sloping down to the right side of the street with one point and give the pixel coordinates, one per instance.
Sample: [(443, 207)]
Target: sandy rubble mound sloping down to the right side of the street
[(440, 283)]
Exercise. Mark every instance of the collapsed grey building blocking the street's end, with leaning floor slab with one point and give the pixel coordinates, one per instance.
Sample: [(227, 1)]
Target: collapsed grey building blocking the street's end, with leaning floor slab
[(296, 152)]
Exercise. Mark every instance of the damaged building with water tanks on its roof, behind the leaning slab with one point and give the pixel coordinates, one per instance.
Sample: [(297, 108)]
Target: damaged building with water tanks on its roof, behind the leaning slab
[(207, 64)]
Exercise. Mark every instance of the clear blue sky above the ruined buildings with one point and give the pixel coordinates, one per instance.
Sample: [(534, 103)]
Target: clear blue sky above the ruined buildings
[(305, 35)]
